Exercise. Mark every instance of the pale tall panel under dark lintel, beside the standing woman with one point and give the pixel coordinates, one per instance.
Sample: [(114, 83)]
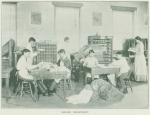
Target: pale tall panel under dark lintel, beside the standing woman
[(123, 28)]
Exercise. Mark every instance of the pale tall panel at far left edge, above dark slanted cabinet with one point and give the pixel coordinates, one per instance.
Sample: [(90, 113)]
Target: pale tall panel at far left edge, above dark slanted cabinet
[(8, 24)]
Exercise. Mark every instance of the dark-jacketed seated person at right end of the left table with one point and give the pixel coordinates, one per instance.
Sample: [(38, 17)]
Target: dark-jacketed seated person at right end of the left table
[(65, 63)]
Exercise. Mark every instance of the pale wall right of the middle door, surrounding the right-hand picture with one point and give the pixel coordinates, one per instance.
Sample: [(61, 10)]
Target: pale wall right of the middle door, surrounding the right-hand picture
[(106, 29)]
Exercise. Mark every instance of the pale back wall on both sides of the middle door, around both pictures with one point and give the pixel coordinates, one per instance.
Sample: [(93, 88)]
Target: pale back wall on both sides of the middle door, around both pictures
[(45, 31)]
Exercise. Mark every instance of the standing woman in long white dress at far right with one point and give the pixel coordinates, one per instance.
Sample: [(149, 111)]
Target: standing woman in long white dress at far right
[(140, 61)]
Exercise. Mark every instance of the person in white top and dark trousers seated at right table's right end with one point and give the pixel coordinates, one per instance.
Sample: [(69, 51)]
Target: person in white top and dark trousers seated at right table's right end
[(122, 63)]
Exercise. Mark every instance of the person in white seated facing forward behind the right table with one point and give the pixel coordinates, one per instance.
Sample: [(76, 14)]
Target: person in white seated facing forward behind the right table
[(89, 62)]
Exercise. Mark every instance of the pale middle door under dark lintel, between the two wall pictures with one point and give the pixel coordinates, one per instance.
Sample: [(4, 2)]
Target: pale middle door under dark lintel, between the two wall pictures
[(67, 25)]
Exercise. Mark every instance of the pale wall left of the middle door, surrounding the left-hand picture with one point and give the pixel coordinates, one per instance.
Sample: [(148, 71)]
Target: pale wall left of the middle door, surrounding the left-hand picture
[(25, 29)]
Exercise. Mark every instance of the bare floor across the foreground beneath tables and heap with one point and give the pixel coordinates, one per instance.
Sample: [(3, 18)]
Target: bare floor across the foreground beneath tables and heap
[(137, 99)]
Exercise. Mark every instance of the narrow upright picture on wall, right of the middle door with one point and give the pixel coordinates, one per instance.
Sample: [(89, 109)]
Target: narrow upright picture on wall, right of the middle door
[(97, 18)]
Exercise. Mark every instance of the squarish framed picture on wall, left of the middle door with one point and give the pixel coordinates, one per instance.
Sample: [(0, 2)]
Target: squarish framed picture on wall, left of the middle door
[(36, 18)]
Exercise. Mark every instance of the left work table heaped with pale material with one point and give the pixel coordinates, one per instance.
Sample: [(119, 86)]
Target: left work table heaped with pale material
[(45, 74)]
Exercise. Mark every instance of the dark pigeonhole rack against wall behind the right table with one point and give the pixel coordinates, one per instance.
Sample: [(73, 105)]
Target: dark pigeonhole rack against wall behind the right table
[(102, 47)]
